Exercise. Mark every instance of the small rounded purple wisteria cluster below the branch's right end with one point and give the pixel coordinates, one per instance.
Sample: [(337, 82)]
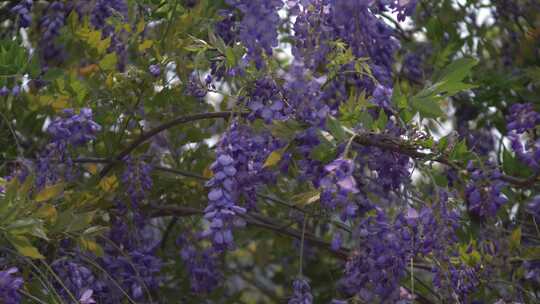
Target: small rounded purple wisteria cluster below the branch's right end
[(483, 192)]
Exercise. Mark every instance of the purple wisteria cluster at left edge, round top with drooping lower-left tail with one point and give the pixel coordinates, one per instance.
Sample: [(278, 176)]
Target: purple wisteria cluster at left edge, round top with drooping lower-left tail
[(67, 132)]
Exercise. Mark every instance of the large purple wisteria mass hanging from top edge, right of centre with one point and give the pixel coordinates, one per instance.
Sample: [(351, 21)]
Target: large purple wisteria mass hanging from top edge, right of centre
[(329, 20)]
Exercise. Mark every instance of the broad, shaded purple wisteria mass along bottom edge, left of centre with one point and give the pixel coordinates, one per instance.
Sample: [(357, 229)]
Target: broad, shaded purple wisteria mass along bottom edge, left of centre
[(128, 266)]
